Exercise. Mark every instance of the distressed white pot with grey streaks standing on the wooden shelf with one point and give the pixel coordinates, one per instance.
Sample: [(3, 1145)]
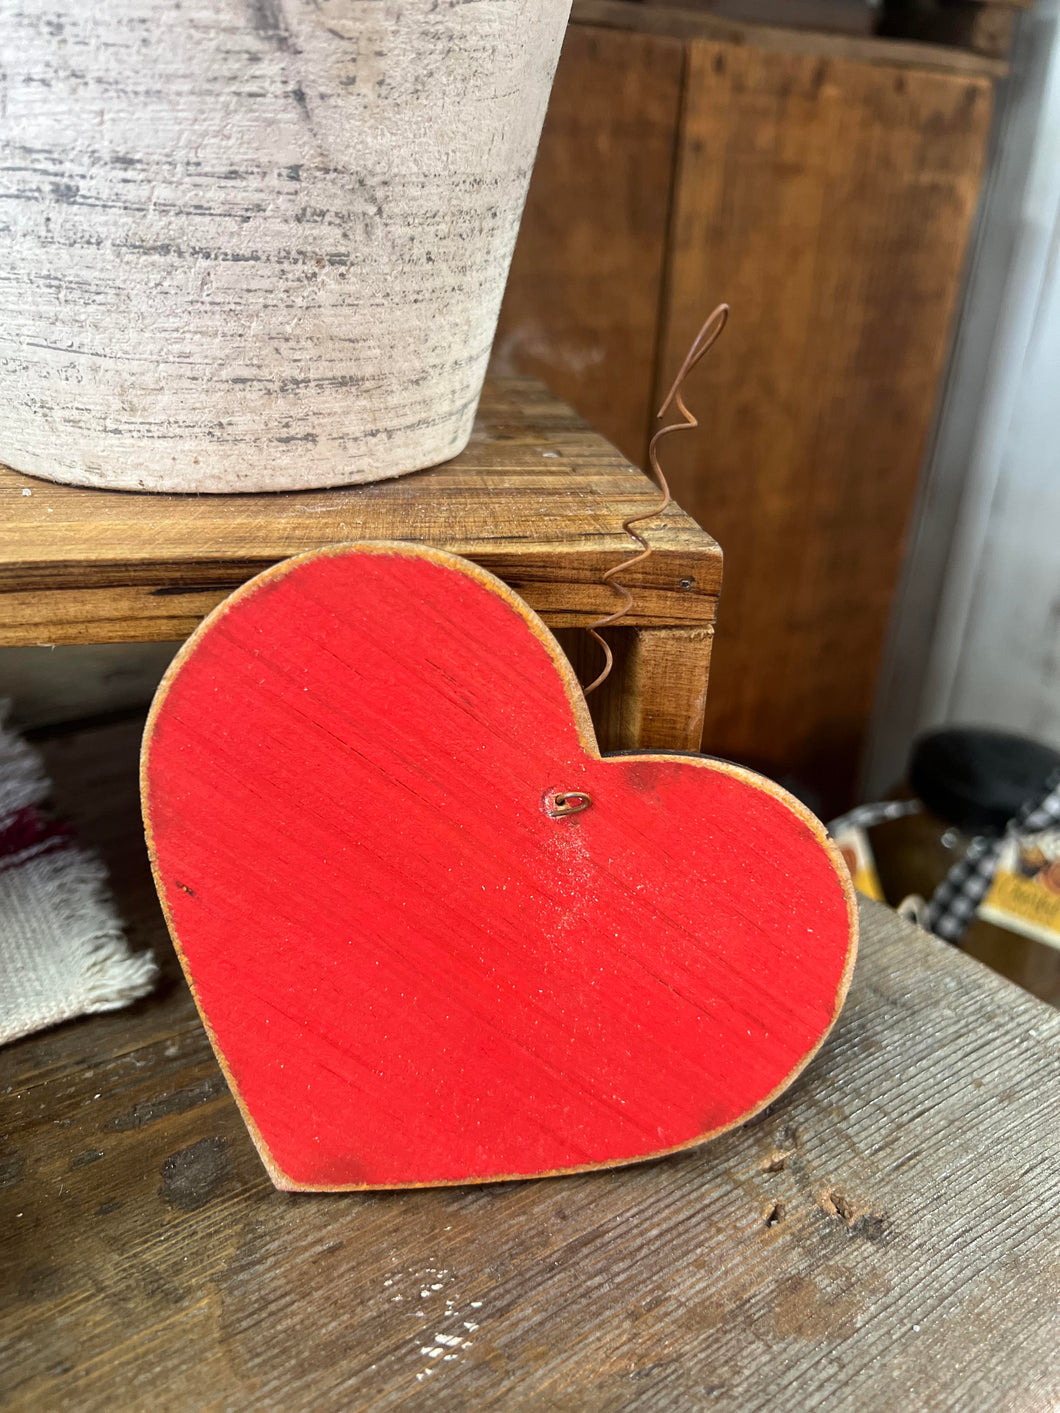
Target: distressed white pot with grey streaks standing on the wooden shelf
[(258, 245)]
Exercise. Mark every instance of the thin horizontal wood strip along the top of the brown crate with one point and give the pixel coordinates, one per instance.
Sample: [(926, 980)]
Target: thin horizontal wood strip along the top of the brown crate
[(676, 22)]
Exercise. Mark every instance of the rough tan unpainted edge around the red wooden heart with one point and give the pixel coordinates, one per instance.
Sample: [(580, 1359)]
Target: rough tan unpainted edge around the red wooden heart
[(589, 741)]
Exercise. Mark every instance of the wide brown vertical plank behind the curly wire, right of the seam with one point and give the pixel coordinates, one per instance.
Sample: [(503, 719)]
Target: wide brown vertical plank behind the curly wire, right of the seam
[(830, 204)]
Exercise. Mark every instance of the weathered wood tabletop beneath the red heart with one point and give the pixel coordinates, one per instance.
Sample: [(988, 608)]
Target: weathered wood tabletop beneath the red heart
[(884, 1238)]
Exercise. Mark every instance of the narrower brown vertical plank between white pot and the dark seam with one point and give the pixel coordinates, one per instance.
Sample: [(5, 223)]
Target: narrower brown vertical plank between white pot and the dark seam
[(582, 313)]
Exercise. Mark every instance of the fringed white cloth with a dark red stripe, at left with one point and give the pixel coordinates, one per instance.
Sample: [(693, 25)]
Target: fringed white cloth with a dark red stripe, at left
[(63, 950)]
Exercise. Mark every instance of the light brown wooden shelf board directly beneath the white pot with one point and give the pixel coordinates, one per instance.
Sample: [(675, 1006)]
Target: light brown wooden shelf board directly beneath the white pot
[(538, 498)]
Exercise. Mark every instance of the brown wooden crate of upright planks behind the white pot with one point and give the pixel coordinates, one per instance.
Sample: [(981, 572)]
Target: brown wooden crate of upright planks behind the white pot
[(826, 187)]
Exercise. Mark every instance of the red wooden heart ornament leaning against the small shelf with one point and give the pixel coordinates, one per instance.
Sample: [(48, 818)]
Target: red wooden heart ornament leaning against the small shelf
[(435, 936)]
